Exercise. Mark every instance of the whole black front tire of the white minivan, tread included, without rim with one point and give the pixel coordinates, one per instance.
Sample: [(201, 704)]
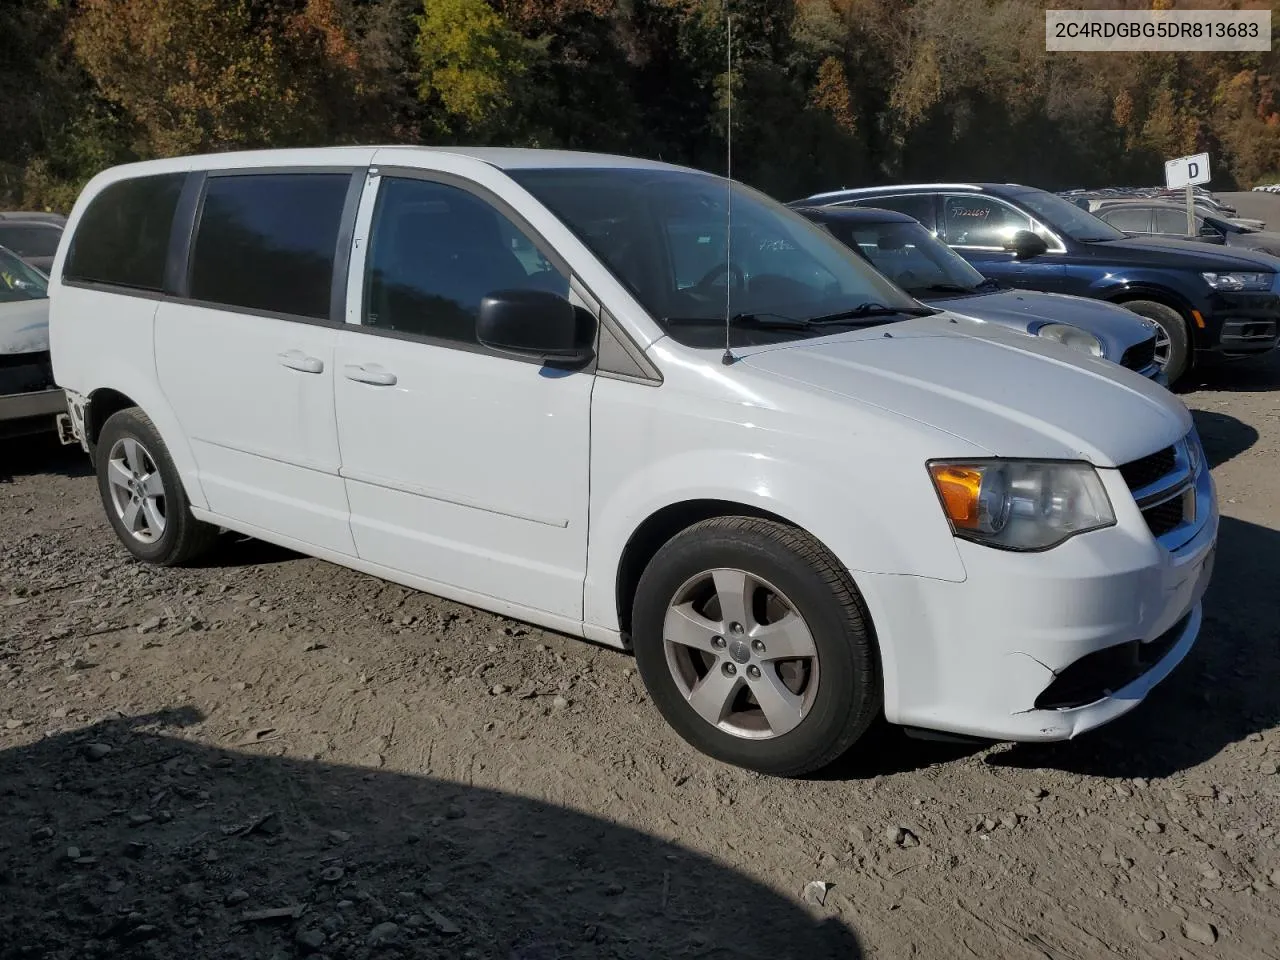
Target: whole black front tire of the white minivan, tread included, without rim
[(848, 696)]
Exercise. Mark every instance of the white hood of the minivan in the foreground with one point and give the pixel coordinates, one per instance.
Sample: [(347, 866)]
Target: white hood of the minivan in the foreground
[(1009, 396)]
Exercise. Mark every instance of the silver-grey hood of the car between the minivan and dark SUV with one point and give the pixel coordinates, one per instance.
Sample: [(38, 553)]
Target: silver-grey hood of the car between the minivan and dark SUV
[(1118, 328)]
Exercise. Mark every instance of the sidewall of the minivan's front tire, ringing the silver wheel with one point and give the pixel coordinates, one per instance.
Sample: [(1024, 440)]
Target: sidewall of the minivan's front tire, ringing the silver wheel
[(848, 683)]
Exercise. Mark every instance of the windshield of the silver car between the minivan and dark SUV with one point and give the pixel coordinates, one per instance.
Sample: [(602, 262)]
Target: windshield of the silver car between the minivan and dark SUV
[(909, 255)]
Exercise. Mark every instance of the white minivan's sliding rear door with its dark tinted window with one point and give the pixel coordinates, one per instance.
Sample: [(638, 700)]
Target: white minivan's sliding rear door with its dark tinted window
[(248, 360)]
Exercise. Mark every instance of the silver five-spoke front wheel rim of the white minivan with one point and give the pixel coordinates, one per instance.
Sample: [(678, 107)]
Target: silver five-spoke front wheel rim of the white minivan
[(742, 653)]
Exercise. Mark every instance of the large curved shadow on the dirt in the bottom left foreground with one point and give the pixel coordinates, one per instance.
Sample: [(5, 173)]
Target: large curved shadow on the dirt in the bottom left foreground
[(161, 848)]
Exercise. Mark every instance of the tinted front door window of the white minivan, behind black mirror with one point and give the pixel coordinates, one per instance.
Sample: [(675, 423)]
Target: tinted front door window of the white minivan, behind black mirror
[(436, 252)]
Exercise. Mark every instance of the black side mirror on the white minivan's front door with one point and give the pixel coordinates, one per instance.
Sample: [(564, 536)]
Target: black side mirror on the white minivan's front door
[(534, 324)]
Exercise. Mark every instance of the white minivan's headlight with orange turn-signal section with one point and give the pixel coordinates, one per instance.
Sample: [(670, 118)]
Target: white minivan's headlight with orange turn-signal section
[(1021, 505)]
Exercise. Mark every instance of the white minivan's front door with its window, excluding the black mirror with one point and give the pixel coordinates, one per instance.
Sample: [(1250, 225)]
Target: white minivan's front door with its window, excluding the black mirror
[(464, 468)]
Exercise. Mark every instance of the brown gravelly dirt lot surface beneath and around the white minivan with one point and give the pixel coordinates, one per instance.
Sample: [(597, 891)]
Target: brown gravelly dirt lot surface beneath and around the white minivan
[(272, 757)]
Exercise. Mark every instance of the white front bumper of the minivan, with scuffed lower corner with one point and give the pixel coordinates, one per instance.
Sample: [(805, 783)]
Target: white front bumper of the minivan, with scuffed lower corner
[(1013, 653)]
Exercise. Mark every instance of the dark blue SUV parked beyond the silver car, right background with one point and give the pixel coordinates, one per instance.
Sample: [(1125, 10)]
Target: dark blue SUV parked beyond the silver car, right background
[(1205, 299)]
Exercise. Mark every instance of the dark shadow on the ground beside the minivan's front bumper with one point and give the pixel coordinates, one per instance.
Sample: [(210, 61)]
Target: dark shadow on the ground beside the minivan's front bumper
[(1222, 693)]
